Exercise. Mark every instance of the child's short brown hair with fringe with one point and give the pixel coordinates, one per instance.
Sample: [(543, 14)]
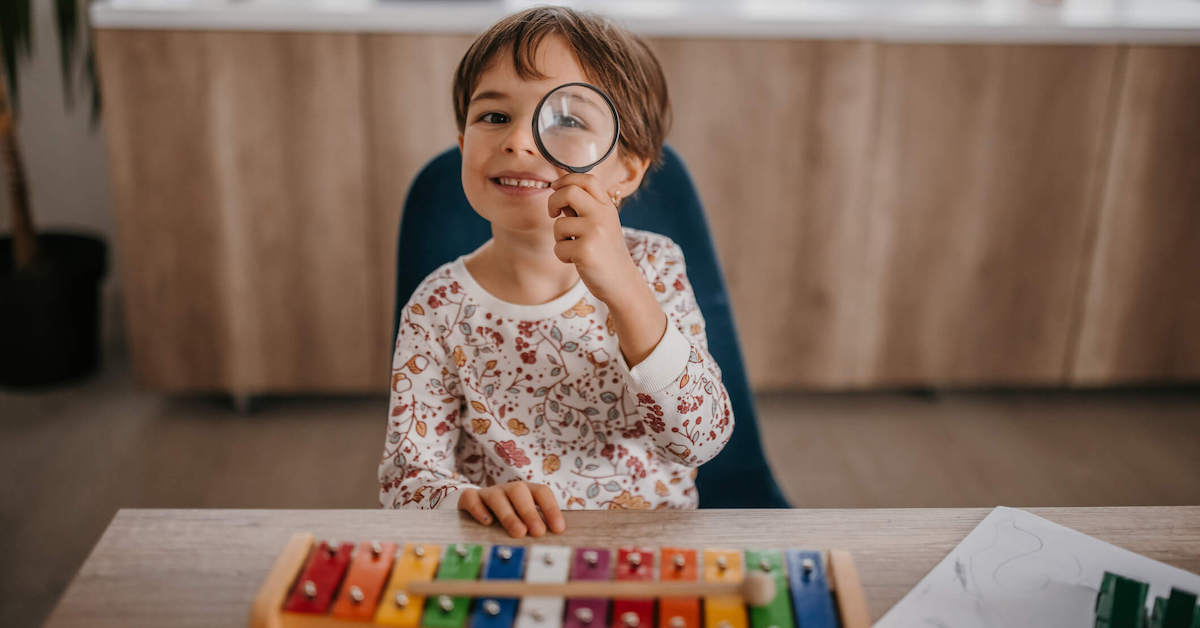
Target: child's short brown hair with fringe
[(615, 59)]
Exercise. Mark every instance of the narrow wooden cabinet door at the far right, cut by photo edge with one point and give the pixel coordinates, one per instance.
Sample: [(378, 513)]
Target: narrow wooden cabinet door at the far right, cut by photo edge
[(1141, 304)]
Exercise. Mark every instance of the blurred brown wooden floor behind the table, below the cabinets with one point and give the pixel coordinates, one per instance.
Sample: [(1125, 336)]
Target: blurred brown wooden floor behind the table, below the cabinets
[(70, 458)]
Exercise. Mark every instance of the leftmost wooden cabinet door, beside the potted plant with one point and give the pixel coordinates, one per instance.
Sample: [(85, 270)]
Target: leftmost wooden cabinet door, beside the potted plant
[(245, 224)]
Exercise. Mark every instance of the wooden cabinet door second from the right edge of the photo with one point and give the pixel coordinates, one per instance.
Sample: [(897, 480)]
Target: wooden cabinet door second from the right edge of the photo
[(979, 207)]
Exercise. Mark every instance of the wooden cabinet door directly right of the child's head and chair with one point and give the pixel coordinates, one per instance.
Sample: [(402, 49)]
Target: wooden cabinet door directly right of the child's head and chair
[(777, 137)]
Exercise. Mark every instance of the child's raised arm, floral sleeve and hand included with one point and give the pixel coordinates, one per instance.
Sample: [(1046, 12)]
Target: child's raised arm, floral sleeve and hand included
[(685, 406)]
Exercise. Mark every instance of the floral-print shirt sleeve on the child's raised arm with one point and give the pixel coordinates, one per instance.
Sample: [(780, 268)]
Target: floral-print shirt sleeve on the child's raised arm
[(685, 406)]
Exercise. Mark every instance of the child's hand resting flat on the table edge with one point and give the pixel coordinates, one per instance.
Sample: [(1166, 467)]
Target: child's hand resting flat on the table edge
[(515, 506)]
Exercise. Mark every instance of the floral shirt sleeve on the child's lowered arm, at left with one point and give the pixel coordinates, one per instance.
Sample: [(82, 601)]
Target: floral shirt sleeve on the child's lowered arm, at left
[(418, 465)]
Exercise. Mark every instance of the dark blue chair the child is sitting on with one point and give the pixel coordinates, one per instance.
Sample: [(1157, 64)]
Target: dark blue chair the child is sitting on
[(439, 226)]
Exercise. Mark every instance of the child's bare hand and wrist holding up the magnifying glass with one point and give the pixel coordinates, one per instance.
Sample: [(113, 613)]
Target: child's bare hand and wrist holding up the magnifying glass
[(589, 235)]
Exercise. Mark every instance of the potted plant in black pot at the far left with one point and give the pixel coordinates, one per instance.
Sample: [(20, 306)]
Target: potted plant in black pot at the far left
[(50, 283)]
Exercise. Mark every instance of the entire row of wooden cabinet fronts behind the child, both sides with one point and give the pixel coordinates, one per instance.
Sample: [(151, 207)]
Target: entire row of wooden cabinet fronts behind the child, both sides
[(886, 214)]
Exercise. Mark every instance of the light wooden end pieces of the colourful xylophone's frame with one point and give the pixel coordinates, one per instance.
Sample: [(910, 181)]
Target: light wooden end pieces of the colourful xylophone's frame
[(268, 609)]
